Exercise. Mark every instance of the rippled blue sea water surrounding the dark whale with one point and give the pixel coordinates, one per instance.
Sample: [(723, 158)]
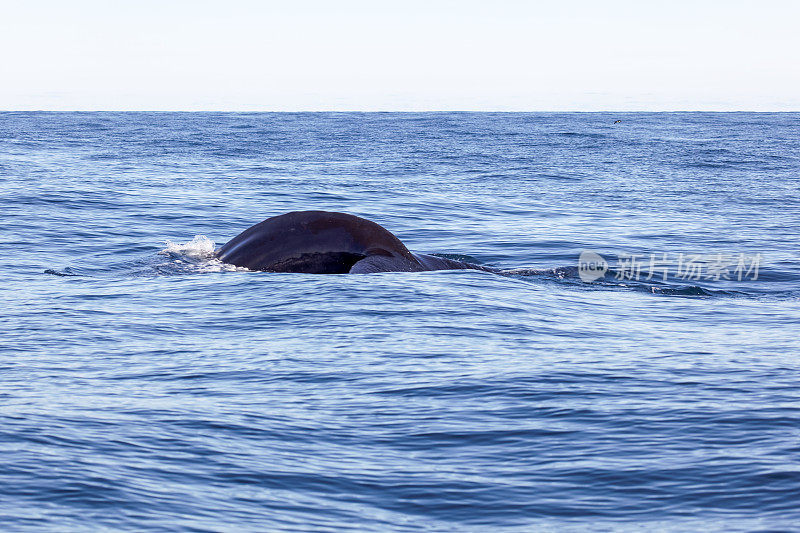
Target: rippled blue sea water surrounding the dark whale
[(147, 386)]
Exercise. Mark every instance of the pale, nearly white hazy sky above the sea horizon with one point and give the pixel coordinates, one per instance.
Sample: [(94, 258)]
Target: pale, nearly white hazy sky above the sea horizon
[(400, 55)]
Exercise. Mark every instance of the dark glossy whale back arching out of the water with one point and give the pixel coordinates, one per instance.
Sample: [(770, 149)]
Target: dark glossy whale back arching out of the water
[(322, 242)]
